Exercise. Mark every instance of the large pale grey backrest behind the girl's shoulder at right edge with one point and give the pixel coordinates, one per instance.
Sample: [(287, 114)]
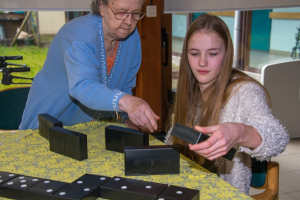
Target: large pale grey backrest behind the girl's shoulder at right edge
[(282, 80)]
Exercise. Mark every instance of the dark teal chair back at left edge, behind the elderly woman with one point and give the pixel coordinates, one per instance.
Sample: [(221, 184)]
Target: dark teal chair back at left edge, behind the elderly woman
[(13, 101)]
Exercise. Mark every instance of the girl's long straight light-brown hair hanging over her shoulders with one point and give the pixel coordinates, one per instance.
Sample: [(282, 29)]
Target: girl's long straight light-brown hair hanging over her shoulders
[(217, 94)]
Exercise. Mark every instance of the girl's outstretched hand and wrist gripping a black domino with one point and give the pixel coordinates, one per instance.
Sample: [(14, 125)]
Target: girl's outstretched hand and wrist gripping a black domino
[(224, 137)]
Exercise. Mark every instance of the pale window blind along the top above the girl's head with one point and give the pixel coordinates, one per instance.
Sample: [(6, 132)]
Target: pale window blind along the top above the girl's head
[(191, 6)]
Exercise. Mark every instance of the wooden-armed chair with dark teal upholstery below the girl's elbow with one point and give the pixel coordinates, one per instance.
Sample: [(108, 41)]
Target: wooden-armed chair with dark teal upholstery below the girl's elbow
[(265, 175)]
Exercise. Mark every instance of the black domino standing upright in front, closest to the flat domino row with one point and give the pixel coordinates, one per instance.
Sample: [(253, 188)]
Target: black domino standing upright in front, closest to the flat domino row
[(152, 160)]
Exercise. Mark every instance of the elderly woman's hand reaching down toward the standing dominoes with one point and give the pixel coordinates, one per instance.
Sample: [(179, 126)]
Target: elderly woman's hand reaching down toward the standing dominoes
[(139, 112)]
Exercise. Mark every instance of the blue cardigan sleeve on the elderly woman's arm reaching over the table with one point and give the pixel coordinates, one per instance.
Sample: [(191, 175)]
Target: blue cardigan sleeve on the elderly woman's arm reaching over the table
[(84, 78)]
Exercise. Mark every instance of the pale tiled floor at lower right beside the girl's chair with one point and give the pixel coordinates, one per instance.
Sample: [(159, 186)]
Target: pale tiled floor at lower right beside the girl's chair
[(289, 172)]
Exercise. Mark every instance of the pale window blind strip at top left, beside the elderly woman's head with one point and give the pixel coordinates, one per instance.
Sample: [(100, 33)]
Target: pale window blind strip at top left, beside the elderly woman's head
[(45, 5)]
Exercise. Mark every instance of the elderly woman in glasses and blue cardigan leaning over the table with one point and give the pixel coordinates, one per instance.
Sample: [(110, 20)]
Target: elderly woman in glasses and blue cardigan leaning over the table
[(91, 69)]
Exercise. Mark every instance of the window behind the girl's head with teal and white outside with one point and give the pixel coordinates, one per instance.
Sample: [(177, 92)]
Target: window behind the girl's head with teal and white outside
[(274, 37)]
